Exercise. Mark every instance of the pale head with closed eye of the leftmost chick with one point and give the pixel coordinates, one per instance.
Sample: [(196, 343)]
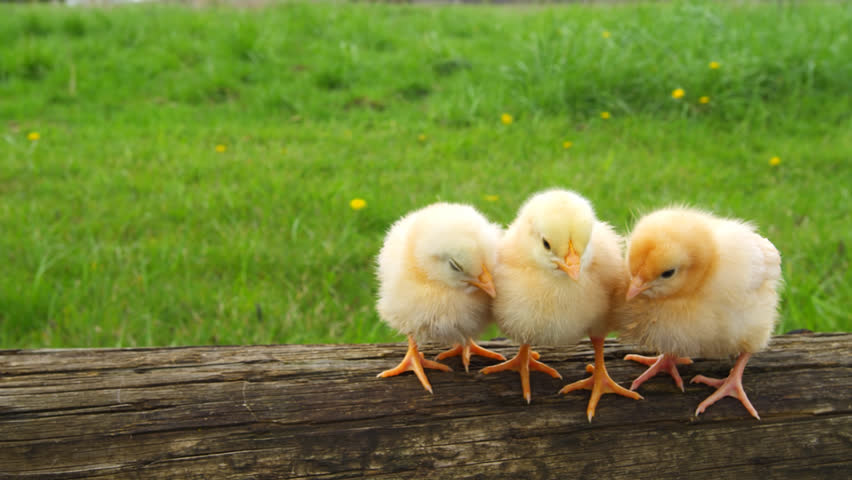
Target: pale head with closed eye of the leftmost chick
[(455, 245)]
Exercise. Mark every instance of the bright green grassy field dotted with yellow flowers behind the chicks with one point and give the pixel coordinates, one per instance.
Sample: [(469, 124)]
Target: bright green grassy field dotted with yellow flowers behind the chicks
[(171, 175)]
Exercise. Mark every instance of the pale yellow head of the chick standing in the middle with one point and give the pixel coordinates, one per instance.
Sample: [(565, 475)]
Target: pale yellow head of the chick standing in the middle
[(556, 227)]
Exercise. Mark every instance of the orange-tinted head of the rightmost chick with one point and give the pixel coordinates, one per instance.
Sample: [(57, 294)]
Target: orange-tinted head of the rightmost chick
[(670, 253)]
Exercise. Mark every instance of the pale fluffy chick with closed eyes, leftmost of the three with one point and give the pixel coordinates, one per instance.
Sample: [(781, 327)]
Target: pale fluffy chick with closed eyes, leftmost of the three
[(435, 284)]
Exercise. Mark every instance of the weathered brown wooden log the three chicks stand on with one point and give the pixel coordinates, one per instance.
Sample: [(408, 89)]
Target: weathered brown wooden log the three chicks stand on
[(294, 411)]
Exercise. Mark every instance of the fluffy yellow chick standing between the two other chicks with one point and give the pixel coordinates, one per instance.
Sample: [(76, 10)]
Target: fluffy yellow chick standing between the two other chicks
[(559, 271)]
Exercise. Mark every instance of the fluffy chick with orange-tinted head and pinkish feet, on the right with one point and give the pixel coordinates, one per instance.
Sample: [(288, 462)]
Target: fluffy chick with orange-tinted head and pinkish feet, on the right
[(700, 286)]
